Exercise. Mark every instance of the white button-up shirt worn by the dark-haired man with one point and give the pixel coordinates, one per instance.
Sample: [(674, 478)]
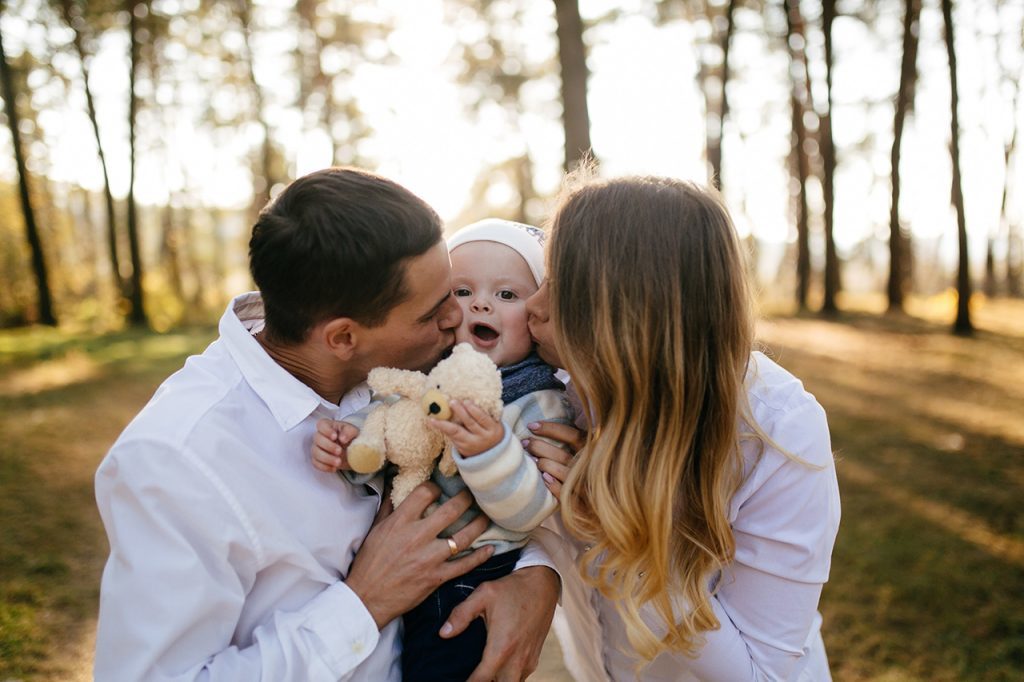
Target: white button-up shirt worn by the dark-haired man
[(228, 548)]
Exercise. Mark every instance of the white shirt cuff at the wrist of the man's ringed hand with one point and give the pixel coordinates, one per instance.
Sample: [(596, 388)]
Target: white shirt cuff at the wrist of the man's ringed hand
[(344, 626)]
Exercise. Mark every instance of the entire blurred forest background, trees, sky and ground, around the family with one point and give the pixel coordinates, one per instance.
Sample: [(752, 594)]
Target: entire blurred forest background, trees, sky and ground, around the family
[(868, 150)]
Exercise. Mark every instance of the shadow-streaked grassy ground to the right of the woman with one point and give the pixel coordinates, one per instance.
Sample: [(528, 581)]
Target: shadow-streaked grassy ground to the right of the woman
[(928, 573)]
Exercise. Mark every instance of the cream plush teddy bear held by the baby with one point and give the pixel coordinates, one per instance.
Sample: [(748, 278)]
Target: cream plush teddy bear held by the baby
[(399, 431)]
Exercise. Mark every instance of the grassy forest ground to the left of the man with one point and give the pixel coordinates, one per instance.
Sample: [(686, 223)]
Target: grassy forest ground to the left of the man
[(64, 399)]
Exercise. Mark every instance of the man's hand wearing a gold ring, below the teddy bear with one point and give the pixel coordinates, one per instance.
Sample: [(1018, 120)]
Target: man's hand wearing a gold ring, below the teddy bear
[(403, 560)]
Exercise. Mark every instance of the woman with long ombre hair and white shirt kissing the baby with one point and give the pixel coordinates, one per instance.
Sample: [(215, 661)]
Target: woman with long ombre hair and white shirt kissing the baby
[(703, 505)]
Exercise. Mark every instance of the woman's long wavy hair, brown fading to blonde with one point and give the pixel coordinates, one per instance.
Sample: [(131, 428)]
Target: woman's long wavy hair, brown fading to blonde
[(654, 321)]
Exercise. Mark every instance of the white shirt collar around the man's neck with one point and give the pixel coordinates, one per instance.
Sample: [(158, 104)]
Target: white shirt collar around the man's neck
[(289, 400)]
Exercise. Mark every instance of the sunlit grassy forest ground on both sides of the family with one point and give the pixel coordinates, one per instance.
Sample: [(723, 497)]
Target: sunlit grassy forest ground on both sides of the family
[(928, 574)]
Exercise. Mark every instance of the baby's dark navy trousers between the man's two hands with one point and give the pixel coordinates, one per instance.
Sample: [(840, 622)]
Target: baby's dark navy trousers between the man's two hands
[(428, 658)]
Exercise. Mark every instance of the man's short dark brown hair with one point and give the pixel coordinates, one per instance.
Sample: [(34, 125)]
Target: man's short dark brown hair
[(333, 245)]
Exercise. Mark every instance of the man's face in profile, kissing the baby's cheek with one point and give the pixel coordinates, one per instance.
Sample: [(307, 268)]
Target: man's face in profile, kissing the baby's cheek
[(420, 329)]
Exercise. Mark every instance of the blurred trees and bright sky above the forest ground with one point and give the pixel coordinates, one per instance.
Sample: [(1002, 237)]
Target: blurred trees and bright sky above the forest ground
[(144, 137)]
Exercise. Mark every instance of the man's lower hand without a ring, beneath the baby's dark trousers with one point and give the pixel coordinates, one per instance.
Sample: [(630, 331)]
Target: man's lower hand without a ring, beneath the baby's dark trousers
[(518, 611)]
